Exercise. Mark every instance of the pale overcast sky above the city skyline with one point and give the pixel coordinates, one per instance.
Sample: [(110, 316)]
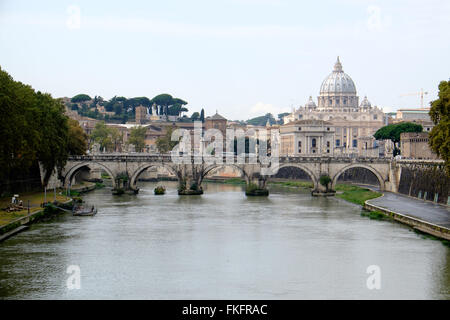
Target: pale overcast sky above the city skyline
[(242, 58)]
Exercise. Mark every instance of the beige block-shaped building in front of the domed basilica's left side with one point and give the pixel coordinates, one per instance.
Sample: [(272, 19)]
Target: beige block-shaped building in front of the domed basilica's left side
[(307, 138)]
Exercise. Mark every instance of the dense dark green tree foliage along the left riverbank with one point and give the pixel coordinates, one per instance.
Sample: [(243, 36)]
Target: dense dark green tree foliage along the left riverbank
[(34, 128)]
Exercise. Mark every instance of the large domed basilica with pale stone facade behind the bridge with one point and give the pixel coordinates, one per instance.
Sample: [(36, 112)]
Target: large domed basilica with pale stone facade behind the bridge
[(338, 104)]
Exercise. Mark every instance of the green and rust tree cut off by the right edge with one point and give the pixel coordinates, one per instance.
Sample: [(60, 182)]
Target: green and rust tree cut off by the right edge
[(440, 115)]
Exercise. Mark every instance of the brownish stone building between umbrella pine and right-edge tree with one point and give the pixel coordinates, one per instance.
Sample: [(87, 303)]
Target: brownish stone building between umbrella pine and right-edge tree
[(415, 145)]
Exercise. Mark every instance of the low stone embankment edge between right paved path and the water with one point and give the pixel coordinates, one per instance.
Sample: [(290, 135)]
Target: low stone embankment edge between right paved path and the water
[(415, 223)]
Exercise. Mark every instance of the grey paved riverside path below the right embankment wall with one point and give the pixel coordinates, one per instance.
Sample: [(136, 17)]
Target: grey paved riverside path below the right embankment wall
[(427, 211)]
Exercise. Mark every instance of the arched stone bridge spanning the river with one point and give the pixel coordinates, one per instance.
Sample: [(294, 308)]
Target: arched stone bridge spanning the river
[(124, 169)]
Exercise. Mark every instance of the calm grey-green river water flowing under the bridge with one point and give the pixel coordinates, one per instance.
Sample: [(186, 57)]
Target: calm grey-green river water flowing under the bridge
[(222, 245)]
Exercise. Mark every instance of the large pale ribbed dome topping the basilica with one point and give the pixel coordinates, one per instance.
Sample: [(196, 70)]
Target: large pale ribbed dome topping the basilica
[(338, 82)]
